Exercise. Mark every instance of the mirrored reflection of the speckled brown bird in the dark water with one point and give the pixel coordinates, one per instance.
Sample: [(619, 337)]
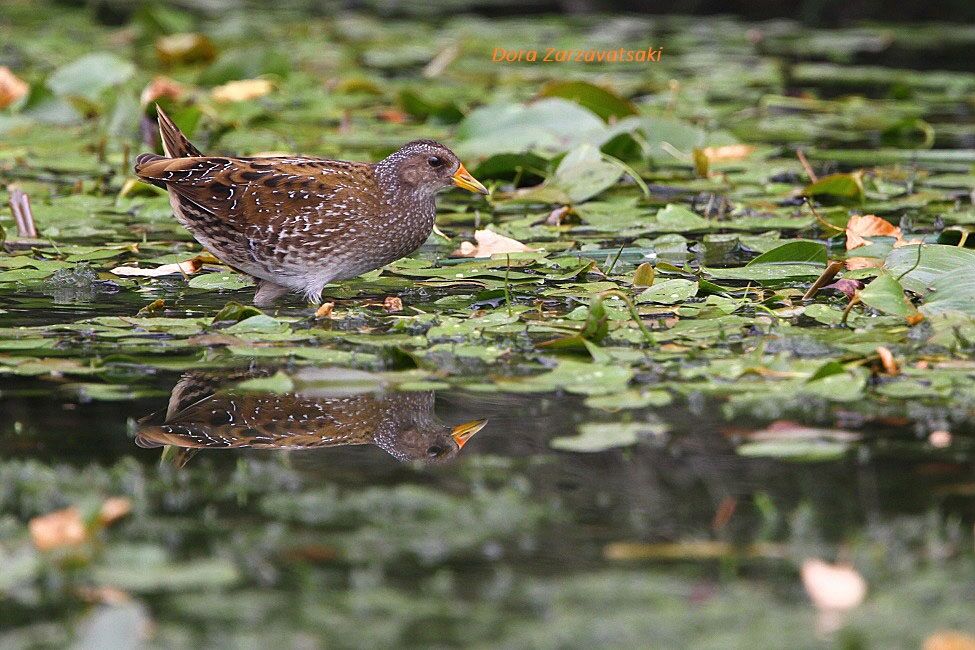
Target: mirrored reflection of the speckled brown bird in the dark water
[(351, 410)]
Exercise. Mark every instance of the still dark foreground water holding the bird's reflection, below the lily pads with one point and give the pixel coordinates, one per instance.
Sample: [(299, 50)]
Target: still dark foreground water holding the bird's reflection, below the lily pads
[(680, 537)]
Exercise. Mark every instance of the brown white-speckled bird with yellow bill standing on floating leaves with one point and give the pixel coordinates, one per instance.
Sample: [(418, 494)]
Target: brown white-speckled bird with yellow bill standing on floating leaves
[(297, 224)]
